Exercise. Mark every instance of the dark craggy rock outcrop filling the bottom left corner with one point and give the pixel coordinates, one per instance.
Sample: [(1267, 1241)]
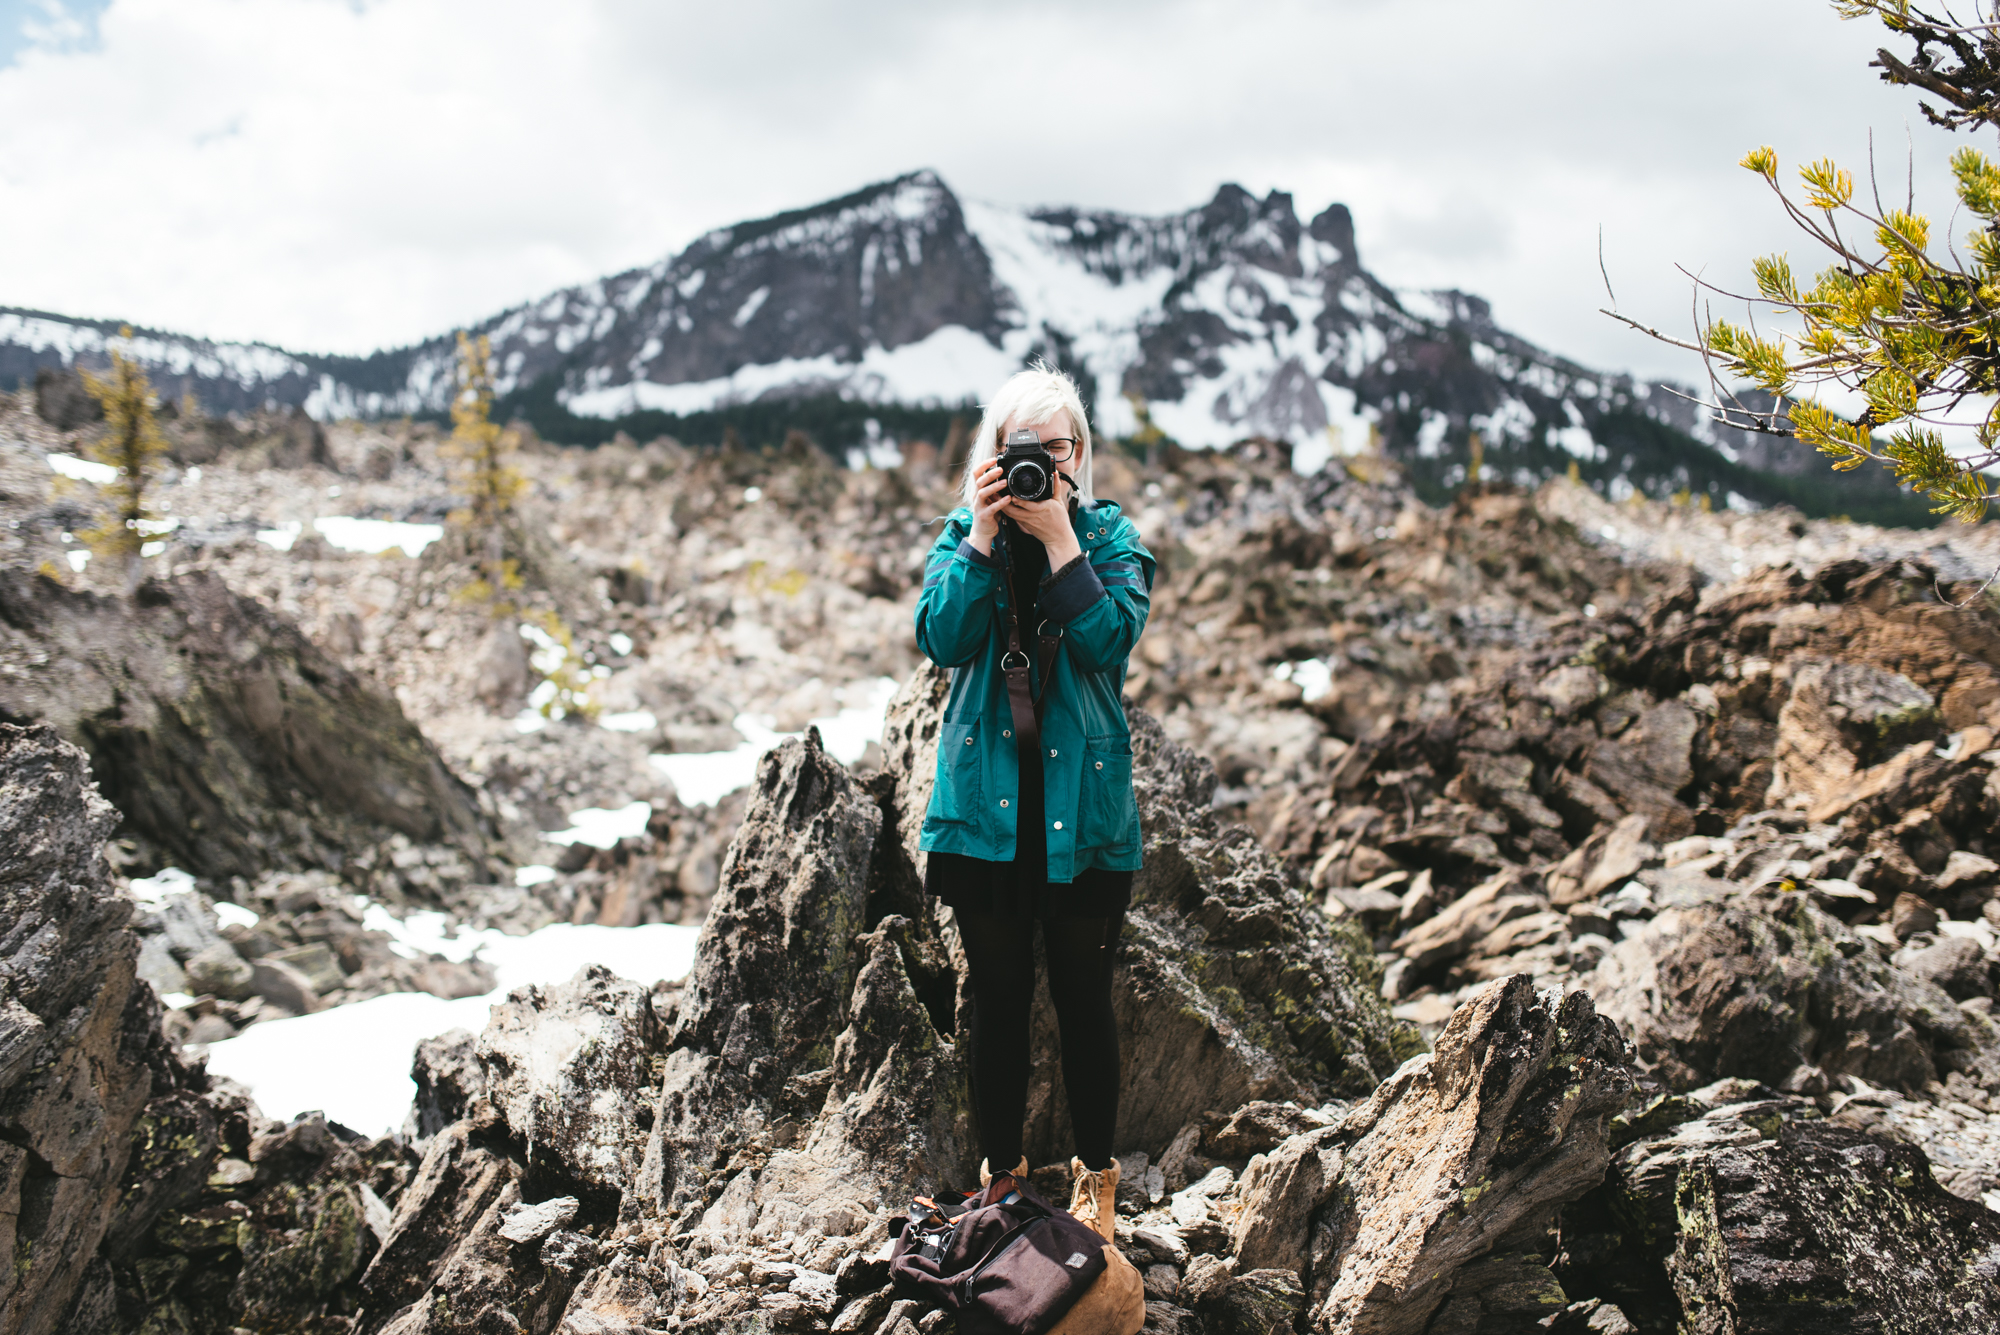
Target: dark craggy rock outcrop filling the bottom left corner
[(133, 1194)]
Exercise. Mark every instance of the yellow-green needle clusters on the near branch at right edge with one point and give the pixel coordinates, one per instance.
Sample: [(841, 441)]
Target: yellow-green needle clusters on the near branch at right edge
[(1911, 333)]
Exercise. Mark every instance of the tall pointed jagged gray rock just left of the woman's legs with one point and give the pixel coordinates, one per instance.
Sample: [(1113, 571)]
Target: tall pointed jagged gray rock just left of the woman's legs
[(805, 1026)]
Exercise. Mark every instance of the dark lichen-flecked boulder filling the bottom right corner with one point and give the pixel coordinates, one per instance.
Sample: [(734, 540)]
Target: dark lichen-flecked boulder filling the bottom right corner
[(1757, 1216)]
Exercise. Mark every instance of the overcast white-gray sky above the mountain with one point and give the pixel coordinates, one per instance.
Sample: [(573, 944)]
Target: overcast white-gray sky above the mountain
[(349, 175)]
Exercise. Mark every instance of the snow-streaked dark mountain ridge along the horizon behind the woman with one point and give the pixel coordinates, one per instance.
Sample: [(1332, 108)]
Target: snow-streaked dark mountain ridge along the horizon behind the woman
[(1223, 323)]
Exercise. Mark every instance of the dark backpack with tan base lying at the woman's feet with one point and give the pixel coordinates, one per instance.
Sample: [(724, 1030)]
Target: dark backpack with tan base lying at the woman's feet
[(1011, 1264)]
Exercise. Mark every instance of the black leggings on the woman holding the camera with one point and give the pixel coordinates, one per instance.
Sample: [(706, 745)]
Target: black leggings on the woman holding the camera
[(1081, 954)]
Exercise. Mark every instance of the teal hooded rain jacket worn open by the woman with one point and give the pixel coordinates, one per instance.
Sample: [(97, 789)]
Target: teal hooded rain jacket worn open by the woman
[(1087, 746)]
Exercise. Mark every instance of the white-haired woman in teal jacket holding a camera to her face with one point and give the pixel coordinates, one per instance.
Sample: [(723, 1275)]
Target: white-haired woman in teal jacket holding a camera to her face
[(1035, 607)]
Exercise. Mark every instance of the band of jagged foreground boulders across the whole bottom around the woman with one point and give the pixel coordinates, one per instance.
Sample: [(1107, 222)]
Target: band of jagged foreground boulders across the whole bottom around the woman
[(729, 1154)]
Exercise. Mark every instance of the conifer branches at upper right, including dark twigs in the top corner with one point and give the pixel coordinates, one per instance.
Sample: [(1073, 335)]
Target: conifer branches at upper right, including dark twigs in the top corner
[(1905, 321)]
